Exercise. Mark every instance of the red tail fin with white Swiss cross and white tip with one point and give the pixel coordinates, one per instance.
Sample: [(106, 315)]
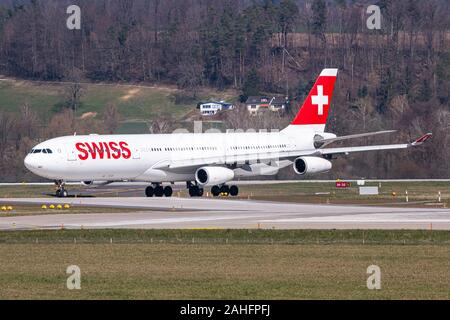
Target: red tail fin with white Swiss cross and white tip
[(315, 108)]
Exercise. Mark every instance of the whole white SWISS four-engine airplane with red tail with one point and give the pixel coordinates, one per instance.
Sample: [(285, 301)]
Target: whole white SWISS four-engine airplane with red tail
[(201, 160)]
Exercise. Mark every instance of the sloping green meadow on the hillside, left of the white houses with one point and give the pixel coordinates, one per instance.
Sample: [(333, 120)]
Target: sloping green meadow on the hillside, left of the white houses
[(134, 102)]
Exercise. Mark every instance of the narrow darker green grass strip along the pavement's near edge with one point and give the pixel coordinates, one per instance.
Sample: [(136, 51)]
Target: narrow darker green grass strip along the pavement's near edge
[(232, 236)]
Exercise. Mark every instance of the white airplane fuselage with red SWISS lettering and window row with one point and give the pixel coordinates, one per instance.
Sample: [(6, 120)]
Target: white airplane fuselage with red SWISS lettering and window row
[(134, 157)]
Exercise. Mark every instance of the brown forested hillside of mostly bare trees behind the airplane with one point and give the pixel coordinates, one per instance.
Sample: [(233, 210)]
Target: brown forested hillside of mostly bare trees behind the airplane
[(397, 77)]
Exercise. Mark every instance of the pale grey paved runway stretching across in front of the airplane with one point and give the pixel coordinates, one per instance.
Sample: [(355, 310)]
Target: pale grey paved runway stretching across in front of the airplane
[(181, 213)]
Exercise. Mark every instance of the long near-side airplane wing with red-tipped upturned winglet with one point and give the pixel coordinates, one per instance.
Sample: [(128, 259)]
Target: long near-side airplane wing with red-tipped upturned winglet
[(277, 156)]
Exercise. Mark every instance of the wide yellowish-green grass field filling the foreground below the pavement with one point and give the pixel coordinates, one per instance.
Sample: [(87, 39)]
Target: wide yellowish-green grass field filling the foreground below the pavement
[(135, 268)]
